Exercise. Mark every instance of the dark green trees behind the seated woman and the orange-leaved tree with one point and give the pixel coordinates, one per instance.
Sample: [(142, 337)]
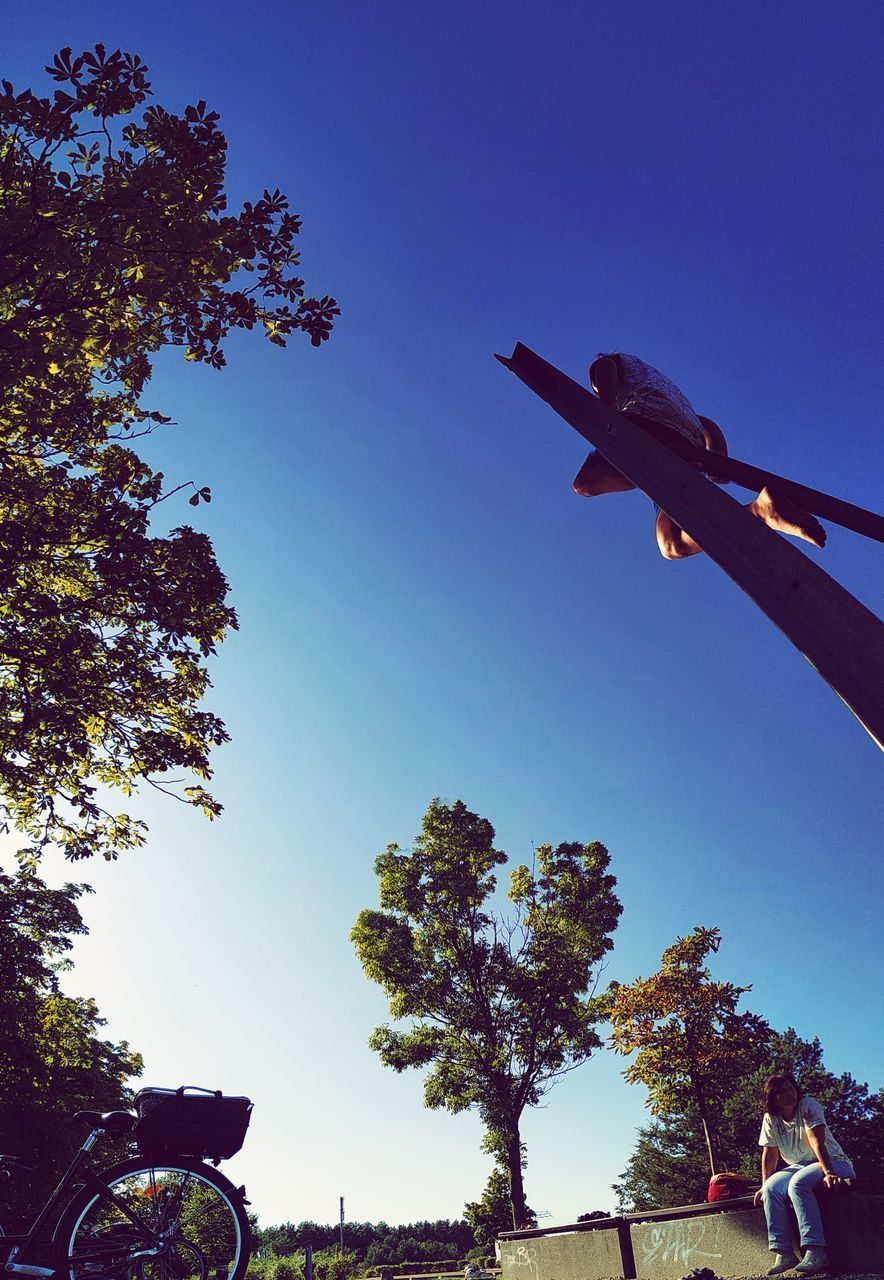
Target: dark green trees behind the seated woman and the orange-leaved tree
[(666, 1167)]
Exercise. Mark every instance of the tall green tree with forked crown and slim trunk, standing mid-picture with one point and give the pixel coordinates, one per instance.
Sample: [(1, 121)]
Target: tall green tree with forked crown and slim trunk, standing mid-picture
[(500, 1007)]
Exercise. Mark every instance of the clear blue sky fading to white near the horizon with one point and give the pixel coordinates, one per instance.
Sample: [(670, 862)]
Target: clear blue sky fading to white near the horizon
[(428, 610)]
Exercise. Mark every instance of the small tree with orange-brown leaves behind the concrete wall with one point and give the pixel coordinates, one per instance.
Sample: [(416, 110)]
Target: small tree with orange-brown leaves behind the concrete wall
[(691, 1045)]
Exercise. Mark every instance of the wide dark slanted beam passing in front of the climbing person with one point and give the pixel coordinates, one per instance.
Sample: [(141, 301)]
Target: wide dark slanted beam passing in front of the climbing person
[(839, 636)]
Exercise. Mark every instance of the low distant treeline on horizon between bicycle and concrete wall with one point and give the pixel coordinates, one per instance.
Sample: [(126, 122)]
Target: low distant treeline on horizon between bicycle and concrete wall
[(377, 1244)]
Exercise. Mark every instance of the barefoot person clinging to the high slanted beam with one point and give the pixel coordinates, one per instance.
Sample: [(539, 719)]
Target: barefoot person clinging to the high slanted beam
[(651, 400)]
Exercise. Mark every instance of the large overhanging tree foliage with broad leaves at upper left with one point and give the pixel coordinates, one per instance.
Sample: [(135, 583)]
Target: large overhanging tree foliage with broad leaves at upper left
[(114, 244)]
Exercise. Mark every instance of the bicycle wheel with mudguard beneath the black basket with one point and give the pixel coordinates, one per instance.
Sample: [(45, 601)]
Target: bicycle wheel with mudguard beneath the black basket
[(175, 1220)]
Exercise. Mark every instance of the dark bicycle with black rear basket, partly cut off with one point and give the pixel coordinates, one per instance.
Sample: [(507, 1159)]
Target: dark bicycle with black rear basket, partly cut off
[(166, 1214)]
